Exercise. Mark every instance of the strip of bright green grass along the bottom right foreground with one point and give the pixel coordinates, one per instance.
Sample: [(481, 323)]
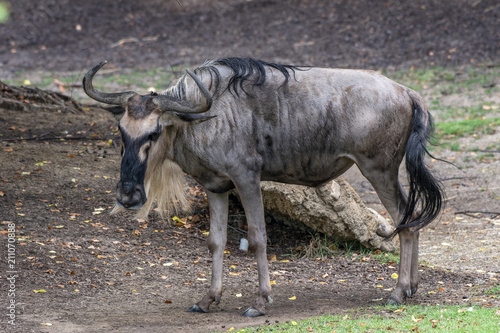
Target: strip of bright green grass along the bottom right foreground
[(392, 319)]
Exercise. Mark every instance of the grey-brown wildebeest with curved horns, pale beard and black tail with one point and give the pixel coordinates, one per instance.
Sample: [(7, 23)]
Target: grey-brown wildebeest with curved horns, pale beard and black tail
[(234, 122)]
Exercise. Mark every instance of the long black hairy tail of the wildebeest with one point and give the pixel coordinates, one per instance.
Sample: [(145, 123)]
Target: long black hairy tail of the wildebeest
[(425, 196)]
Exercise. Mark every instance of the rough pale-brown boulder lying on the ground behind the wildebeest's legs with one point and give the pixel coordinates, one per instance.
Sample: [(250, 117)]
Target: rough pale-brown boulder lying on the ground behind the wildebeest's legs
[(334, 209)]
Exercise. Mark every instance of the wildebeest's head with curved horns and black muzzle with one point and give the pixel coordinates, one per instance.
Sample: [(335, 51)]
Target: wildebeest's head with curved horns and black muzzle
[(142, 131)]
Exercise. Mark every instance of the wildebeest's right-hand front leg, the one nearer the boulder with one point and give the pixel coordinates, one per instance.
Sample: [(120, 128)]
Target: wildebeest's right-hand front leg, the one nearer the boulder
[(251, 199)]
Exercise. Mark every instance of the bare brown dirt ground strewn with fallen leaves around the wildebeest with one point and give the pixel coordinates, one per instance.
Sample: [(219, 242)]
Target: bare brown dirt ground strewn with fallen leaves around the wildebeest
[(80, 270)]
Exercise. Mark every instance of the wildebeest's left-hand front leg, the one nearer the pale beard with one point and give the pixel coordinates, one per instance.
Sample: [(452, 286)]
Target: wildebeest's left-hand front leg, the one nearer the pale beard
[(218, 205)]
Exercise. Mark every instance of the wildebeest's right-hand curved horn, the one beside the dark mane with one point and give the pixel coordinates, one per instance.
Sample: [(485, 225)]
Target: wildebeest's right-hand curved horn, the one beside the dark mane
[(168, 103)]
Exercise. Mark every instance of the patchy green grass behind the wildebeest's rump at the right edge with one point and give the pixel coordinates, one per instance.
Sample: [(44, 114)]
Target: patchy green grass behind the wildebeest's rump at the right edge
[(463, 100)]
